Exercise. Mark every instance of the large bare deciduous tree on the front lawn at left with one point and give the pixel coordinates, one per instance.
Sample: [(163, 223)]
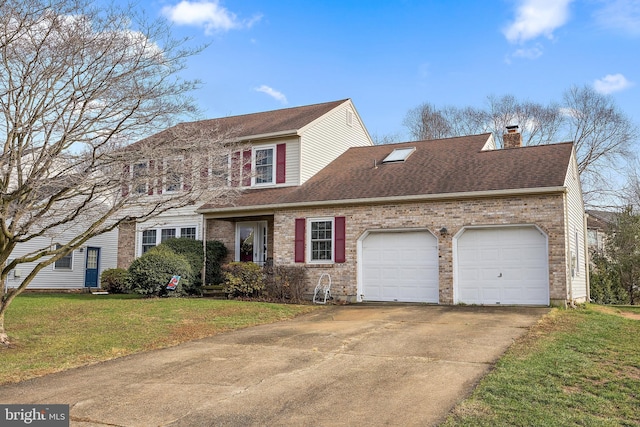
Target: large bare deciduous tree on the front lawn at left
[(78, 83)]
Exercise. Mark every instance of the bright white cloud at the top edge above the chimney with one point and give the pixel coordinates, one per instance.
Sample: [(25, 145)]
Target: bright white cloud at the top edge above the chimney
[(535, 18)]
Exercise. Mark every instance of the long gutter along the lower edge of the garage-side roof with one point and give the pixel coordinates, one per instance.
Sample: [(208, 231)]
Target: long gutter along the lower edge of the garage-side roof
[(388, 199)]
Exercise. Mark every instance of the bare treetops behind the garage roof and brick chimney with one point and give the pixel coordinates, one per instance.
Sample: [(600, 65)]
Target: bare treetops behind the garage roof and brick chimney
[(602, 133)]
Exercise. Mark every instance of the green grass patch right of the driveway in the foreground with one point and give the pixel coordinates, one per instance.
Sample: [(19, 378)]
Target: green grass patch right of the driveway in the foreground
[(576, 367)]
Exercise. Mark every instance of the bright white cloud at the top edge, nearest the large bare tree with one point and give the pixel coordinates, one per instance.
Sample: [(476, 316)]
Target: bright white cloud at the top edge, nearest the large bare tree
[(208, 14)]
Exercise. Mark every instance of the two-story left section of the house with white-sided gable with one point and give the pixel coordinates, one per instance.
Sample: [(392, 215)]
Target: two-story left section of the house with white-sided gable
[(272, 149)]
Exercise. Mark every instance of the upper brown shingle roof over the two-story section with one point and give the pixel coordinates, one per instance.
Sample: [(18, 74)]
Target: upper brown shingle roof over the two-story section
[(268, 123)]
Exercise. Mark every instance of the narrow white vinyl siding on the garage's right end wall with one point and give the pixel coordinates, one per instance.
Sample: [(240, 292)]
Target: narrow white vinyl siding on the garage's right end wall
[(575, 240)]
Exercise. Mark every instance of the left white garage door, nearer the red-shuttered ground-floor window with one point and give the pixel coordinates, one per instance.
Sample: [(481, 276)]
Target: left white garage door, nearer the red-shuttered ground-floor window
[(400, 266)]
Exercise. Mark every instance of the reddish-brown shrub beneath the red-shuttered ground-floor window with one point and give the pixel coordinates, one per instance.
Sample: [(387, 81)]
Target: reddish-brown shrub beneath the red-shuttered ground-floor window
[(285, 283)]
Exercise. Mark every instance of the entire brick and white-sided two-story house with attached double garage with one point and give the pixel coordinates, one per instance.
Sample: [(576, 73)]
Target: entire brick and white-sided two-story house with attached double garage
[(444, 221)]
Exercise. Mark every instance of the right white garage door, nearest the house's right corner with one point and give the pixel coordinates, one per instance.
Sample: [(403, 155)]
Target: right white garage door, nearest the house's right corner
[(505, 265)]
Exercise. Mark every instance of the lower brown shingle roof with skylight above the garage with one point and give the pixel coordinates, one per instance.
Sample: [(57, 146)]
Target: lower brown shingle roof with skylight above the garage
[(452, 166)]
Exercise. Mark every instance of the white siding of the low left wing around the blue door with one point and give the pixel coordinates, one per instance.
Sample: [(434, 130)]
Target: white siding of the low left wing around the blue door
[(56, 278)]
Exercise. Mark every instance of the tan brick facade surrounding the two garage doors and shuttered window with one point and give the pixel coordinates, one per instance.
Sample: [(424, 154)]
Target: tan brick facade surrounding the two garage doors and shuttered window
[(544, 211)]
